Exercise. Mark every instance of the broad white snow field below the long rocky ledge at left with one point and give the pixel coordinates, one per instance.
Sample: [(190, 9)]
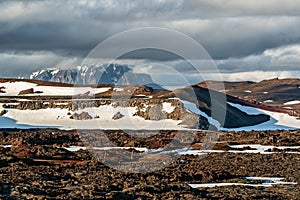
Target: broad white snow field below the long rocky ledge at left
[(59, 118)]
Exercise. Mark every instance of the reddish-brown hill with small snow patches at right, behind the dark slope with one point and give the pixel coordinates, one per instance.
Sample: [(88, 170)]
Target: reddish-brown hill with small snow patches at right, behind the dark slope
[(280, 95)]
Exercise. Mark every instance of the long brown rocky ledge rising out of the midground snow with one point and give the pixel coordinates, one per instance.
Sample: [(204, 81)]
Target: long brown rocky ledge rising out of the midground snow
[(147, 108)]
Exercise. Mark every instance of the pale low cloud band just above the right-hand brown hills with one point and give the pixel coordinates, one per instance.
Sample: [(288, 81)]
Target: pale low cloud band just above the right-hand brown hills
[(280, 59)]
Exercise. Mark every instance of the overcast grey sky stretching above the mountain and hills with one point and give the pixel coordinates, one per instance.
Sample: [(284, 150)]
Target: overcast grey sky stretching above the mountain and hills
[(243, 37)]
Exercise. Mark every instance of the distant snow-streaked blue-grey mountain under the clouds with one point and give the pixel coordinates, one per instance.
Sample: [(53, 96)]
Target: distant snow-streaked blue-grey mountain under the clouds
[(102, 74)]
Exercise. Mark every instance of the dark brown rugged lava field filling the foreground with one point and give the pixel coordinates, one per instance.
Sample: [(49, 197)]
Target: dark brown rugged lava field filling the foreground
[(38, 164)]
